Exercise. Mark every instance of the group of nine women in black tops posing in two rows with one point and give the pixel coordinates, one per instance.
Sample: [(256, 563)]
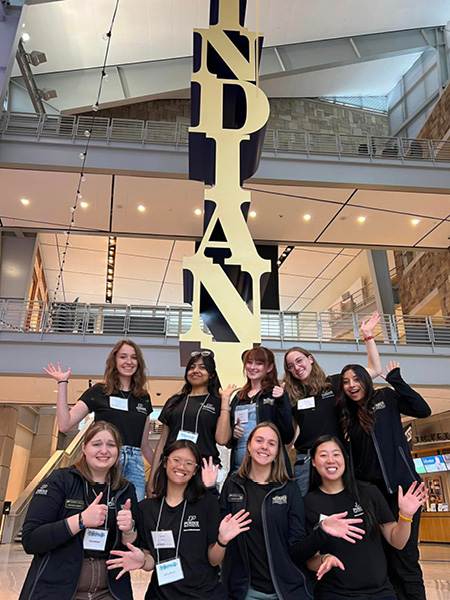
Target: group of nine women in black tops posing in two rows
[(267, 537)]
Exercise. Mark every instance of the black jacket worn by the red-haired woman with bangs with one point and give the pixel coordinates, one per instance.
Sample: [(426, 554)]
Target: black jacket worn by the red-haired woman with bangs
[(275, 410)]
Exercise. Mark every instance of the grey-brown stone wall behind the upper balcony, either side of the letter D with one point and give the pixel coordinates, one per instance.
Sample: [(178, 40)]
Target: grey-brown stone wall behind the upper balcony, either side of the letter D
[(285, 113)]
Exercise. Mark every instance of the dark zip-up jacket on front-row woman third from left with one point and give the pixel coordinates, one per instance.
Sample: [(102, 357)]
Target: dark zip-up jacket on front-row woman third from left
[(283, 517)]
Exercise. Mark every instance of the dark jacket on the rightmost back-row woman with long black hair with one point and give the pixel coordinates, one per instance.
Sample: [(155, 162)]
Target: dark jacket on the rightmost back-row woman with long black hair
[(388, 437)]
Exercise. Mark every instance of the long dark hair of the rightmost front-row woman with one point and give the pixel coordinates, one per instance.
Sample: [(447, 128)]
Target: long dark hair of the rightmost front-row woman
[(357, 490)]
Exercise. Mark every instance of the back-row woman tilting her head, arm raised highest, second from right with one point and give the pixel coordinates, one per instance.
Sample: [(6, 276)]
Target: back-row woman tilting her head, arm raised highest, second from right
[(312, 395)]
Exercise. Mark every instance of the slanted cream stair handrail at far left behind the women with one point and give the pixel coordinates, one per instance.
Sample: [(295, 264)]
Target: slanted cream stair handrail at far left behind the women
[(15, 519)]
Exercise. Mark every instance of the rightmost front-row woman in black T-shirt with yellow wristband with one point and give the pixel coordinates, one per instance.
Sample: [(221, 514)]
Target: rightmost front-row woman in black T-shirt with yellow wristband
[(355, 571)]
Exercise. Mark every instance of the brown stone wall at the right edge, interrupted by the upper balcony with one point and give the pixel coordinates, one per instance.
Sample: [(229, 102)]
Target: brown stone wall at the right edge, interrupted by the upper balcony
[(432, 269)]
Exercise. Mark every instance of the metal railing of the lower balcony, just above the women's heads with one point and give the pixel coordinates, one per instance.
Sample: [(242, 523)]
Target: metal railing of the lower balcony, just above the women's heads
[(83, 320)]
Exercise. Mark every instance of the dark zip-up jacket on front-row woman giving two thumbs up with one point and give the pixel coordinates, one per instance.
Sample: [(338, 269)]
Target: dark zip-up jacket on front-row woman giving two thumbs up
[(58, 555)]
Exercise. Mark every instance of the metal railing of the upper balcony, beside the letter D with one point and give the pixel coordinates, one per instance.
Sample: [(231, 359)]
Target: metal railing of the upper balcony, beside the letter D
[(144, 133)]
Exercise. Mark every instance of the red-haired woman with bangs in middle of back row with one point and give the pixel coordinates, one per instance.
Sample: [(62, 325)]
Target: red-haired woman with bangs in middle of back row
[(260, 399)]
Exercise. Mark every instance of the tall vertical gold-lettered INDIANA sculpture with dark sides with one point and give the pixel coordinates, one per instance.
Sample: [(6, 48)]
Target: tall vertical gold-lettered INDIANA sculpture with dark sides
[(229, 116)]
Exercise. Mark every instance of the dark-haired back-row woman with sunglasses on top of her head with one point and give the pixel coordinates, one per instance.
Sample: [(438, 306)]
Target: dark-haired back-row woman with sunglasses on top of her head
[(199, 413)]
